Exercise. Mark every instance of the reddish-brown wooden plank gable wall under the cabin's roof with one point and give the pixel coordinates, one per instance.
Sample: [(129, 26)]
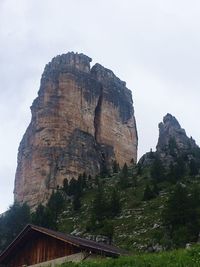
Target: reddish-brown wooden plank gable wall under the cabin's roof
[(39, 248)]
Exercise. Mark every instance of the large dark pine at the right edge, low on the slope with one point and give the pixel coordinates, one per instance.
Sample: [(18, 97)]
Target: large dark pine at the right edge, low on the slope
[(181, 216)]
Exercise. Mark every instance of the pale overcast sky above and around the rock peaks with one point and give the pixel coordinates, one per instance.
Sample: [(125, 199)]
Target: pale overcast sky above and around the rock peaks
[(153, 45)]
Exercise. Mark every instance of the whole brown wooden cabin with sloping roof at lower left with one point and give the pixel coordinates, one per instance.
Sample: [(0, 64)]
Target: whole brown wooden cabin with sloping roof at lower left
[(39, 246)]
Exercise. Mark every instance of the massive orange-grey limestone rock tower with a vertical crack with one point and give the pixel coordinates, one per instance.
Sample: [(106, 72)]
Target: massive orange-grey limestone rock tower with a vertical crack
[(82, 120)]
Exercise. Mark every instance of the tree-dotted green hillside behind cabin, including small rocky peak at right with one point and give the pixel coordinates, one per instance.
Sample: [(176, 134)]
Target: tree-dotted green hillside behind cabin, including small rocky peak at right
[(150, 206)]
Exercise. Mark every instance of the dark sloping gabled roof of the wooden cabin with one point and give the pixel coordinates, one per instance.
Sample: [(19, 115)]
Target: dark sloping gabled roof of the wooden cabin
[(83, 244)]
